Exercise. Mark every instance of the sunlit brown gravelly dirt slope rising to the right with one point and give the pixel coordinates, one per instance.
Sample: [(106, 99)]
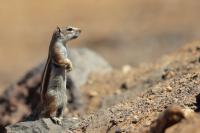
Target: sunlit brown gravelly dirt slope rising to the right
[(131, 99)]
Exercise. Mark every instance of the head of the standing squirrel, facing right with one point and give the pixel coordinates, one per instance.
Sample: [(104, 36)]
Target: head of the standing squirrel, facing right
[(66, 33)]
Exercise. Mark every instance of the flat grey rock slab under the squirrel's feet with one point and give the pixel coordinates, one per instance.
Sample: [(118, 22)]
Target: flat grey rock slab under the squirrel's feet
[(43, 126)]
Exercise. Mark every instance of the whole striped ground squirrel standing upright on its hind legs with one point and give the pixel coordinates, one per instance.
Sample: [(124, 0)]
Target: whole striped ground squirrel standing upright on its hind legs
[(54, 80)]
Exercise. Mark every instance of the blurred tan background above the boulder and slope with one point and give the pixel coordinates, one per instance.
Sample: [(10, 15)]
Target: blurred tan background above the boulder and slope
[(122, 31)]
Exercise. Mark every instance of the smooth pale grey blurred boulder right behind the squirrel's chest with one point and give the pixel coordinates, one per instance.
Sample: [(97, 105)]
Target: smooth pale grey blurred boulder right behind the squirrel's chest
[(86, 61)]
